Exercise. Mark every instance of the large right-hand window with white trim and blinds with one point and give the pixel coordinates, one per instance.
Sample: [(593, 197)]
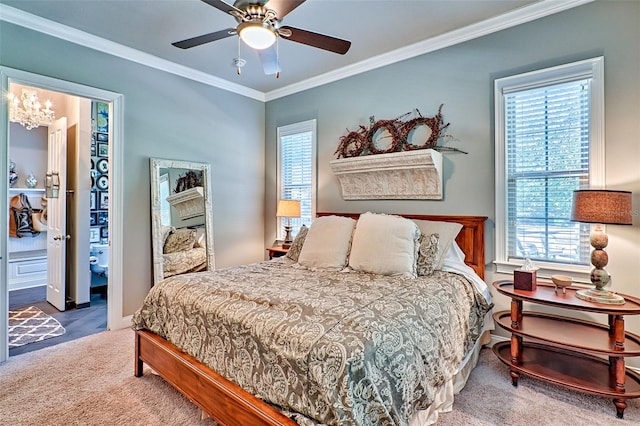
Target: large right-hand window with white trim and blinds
[(549, 142)]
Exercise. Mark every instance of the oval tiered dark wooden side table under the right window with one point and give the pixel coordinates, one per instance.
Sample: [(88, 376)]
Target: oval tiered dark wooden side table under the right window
[(577, 354)]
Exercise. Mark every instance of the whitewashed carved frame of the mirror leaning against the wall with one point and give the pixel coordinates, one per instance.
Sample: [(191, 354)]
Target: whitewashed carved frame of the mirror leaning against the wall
[(155, 164)]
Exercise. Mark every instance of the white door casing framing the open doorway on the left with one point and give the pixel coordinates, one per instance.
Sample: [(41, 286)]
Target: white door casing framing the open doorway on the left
[(113, 101)]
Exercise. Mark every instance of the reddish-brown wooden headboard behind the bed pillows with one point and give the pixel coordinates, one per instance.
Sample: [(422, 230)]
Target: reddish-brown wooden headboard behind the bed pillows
[(470, 239)]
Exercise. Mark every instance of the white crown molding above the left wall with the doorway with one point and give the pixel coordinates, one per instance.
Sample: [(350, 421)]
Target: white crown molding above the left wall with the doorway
[(64, 32)]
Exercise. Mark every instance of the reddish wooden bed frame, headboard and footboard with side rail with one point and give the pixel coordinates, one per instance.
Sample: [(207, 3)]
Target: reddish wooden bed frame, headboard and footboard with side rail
[(226, 402)]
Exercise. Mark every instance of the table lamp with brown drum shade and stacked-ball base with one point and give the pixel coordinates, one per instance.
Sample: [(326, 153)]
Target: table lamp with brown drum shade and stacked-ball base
[(599, 206)]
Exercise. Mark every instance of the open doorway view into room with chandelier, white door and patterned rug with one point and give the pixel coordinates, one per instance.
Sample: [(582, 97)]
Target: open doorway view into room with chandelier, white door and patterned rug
[(58, 272)]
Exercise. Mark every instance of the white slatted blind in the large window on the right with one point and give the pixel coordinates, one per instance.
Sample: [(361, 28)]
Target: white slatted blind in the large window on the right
[(547, 138)]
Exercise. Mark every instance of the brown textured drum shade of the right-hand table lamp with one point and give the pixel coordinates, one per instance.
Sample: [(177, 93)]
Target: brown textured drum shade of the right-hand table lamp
[(602, 206)]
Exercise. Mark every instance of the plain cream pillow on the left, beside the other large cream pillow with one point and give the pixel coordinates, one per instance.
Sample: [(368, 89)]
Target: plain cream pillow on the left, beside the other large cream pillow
[(327, 243)]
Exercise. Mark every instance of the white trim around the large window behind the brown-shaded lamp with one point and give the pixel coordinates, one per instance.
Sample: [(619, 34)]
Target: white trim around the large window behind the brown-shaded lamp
[(590, 68)]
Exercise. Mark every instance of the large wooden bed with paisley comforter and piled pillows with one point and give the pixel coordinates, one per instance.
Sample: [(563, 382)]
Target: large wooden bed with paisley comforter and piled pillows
[(320, 345)]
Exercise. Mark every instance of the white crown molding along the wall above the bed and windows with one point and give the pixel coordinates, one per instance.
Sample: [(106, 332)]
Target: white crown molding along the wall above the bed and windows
[(488, 26)]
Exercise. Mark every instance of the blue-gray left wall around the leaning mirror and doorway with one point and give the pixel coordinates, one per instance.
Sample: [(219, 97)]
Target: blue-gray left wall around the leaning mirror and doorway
[(169, 117)]
